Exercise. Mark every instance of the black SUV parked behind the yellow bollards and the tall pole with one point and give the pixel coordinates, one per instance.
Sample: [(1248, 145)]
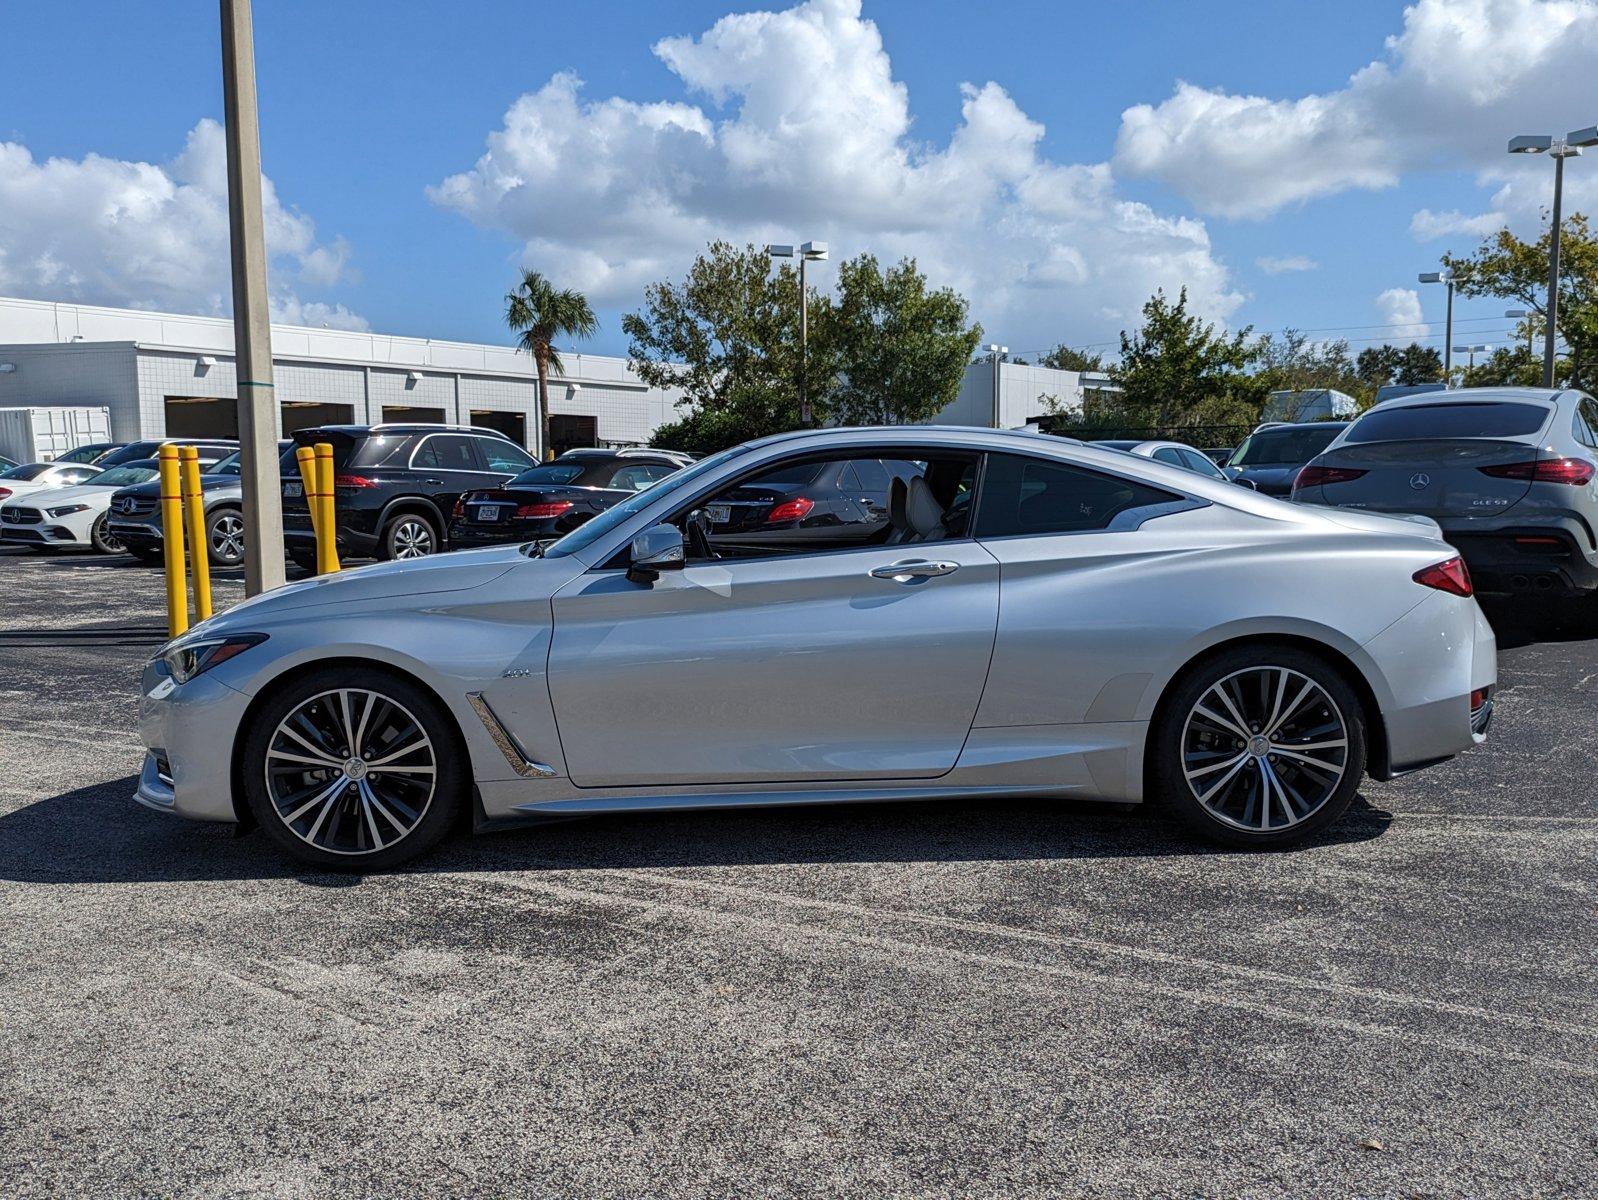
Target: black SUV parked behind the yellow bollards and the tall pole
[(396, 487)]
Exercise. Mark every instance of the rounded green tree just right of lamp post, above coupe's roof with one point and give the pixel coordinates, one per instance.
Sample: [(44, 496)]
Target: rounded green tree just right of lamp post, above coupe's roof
[(892, 351)]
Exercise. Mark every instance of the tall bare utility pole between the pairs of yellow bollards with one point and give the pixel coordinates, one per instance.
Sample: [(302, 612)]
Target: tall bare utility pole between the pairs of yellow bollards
[(258, 407)]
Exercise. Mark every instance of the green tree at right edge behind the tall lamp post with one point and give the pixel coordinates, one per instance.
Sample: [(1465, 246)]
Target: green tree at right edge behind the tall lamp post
[(1508, 268)]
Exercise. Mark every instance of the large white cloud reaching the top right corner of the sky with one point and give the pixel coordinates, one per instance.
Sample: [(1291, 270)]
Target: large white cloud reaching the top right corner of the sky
[(1449, 92)]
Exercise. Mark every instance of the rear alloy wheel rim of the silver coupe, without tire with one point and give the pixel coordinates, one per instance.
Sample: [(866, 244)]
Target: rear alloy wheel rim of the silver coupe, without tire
[(1265, 749)]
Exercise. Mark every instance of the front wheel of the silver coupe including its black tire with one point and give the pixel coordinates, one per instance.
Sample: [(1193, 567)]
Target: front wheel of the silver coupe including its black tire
[(340, 840)]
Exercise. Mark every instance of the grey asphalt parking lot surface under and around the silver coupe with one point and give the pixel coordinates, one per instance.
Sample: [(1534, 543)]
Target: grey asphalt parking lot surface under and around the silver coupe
[(873, 1001)]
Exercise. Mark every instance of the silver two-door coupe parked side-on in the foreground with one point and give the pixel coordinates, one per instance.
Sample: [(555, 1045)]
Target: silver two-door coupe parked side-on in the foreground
[(1025, 621)]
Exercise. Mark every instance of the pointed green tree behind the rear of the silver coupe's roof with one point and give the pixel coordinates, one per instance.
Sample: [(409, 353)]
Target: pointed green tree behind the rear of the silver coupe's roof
[(1179, 372)]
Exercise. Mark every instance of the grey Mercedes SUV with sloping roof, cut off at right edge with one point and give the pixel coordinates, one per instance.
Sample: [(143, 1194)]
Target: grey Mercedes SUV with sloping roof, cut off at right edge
[(1509, 475)]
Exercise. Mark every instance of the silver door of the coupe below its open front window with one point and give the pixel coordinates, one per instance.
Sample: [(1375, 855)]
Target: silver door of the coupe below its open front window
[(793, 664)]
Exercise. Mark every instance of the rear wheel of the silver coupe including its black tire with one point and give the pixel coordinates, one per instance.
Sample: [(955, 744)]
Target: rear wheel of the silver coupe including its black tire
[(1263, 795)]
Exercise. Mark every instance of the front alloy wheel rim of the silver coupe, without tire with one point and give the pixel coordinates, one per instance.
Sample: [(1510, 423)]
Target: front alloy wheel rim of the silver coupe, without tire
[(351, 771)]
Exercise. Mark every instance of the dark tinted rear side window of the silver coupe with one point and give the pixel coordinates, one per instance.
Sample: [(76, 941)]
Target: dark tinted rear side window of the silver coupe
[(1039, 496)]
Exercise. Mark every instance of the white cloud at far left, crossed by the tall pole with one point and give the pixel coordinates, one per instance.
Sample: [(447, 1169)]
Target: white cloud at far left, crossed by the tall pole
[(105, 231)]
